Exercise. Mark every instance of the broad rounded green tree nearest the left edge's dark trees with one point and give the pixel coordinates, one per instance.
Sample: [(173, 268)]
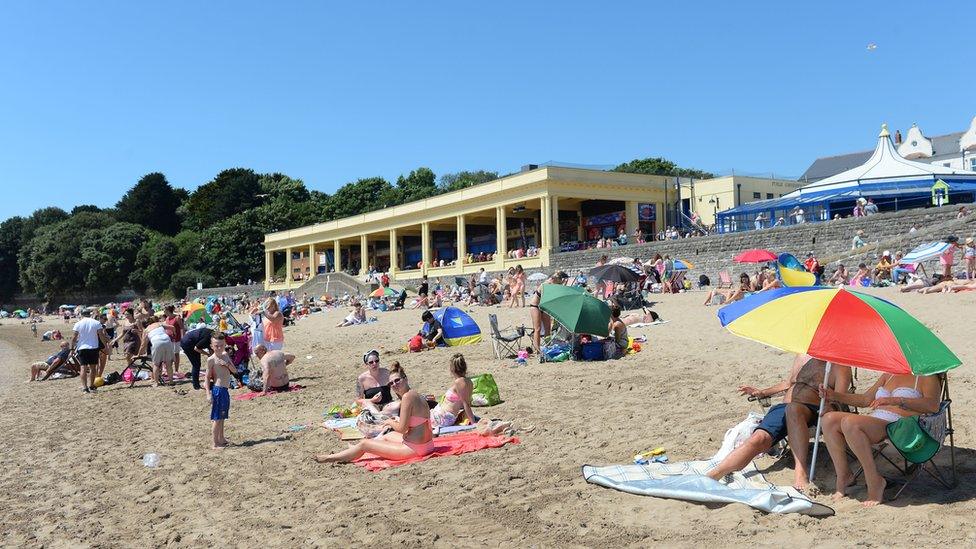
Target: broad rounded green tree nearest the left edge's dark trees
[(51, 262)]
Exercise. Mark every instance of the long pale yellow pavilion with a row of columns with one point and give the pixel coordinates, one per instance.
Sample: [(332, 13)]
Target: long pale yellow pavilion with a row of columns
[(528, 214)]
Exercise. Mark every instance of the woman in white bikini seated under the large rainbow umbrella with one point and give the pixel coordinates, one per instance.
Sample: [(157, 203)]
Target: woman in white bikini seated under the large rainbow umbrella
[(892, 397)]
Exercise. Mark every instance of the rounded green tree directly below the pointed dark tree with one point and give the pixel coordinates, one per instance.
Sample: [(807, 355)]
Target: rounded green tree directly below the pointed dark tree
[(108, 256)]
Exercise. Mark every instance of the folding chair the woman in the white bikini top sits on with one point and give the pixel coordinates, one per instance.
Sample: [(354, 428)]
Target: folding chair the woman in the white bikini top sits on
[(939, 427)]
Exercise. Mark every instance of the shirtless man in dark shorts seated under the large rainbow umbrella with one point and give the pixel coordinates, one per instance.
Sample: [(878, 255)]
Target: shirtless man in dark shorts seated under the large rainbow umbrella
[(790, 419)]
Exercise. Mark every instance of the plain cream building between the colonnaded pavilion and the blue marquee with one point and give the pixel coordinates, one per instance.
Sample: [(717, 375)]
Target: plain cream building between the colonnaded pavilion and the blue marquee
[(707, 197)]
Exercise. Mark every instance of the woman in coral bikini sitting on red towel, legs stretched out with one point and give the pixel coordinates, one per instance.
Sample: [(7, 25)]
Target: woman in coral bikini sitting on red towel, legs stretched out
[(411, 434)]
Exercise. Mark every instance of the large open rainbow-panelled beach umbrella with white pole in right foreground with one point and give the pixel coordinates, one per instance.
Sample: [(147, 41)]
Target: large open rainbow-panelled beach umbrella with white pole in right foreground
[(839, 326)]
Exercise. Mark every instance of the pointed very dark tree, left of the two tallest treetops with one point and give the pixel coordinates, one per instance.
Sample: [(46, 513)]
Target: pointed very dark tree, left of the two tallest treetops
[(151, 202)]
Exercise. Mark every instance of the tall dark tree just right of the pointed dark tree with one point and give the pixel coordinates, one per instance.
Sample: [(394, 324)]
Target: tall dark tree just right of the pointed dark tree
[(232, 191)]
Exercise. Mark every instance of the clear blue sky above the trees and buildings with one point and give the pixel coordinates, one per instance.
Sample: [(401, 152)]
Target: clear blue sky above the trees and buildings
[(96, 94)]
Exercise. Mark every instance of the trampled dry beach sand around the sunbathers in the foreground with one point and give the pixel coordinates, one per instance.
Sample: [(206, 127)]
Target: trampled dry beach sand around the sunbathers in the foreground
[(73, 473)]
